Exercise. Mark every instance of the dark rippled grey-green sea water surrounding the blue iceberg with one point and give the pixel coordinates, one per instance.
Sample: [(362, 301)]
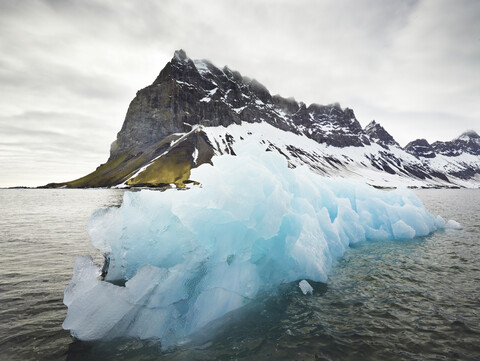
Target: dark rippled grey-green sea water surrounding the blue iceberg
[(394, 300)]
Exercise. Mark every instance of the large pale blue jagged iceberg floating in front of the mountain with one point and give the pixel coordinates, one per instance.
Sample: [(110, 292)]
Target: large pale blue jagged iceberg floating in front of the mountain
[(180, 259)]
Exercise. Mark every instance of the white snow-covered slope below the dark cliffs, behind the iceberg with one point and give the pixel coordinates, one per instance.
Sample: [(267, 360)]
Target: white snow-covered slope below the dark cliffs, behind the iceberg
[(383, 166)]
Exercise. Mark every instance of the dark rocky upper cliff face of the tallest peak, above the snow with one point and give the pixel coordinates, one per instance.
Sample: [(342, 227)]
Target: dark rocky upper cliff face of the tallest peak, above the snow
[(189, 92)]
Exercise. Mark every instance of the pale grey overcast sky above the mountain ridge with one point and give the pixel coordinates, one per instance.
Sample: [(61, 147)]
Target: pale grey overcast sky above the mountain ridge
[(69, 69)]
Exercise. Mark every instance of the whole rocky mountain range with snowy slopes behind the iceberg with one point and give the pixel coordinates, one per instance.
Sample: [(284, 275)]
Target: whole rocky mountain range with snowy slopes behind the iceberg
[(194, 111)]
